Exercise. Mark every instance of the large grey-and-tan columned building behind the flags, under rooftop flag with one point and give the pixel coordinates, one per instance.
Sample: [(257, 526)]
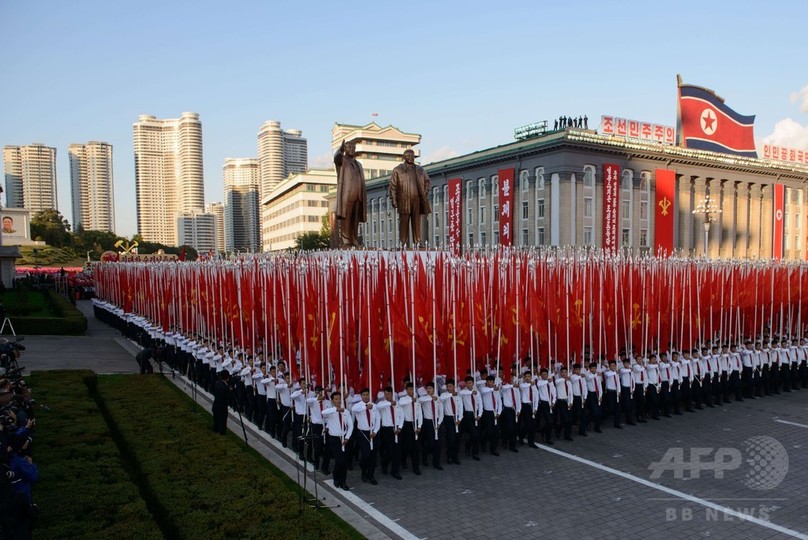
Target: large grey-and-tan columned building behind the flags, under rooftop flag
[(558, 197)]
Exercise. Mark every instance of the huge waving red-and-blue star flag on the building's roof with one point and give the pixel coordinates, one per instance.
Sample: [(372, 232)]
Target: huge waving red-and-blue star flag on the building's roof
[(706, 123)]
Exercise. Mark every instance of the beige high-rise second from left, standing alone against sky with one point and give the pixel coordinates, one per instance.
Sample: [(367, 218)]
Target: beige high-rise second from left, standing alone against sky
[(91, 185)]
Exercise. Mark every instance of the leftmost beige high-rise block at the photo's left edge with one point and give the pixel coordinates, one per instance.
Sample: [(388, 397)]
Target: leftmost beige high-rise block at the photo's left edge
[(30, 177)]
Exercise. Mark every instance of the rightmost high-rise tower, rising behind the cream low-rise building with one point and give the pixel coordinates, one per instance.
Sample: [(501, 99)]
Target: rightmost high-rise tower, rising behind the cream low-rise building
[(280, 153)]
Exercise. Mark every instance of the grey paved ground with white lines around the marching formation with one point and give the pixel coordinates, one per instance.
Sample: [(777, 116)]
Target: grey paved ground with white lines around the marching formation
[(712, 467)]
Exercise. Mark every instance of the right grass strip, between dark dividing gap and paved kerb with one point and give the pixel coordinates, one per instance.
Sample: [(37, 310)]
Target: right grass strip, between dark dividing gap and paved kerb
[(203, 484)]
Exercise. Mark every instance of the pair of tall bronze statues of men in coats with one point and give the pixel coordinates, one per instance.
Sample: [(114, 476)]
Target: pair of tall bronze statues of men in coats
[(409, 185)]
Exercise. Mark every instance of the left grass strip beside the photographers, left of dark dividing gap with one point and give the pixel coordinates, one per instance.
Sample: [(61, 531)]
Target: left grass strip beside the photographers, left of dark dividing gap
[(84, 490)]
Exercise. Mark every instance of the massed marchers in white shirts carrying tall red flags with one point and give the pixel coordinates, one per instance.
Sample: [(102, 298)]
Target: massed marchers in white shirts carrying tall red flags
[(413, 356)]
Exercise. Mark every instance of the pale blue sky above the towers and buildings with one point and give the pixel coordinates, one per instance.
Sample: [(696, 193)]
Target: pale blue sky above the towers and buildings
[(462, 74)]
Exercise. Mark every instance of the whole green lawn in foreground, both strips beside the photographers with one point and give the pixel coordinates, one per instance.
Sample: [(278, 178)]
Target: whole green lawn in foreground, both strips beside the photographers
[(195, 483)]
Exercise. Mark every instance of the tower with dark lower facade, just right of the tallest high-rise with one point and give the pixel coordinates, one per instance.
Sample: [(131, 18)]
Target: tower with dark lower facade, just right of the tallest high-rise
[(241, 204)]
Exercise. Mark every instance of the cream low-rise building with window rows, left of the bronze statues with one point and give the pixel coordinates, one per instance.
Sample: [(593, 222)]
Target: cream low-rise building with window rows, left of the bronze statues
[(296, 206)]
